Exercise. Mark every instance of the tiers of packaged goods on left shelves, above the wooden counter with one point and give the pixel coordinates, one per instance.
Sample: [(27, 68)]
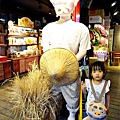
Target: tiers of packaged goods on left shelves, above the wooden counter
[(22, 40)]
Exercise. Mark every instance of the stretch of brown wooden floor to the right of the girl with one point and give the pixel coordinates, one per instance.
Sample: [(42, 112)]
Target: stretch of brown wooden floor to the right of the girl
[(114, 75)]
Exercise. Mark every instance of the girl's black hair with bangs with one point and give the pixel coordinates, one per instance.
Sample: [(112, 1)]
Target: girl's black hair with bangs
[(98, 65)]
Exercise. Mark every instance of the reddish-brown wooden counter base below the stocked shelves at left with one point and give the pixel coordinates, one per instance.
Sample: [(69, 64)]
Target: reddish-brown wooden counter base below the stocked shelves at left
[(16, 66)]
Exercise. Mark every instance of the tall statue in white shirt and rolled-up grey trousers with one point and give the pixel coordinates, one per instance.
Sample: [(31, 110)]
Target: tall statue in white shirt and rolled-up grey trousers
[(73, 36)]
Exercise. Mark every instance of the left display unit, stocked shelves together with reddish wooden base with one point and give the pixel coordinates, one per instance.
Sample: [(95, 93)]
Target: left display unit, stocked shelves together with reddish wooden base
[(19, 39)]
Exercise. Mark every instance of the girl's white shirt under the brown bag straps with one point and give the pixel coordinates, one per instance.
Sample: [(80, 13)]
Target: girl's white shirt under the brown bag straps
[(98, 90)]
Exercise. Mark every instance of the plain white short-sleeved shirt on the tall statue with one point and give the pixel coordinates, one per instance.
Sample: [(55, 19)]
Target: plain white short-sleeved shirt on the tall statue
[(70, 35)]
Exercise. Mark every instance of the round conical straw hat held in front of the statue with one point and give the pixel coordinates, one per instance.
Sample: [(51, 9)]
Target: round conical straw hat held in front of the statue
[(60, 66)]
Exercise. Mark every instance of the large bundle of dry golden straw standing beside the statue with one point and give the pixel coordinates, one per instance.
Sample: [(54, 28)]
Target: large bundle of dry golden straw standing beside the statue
[(32, 96)]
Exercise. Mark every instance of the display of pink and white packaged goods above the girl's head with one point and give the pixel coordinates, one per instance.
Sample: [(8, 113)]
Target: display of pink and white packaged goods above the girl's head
[(99, 42)]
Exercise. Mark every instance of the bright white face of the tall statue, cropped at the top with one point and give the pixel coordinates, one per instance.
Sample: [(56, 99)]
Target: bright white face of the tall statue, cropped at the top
[(63, 7)]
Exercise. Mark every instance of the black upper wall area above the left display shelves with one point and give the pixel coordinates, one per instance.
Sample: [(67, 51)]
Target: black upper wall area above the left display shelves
[(12, 12)]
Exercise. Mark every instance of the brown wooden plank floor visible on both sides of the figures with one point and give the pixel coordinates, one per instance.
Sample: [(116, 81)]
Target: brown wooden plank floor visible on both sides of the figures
[(113, 74)]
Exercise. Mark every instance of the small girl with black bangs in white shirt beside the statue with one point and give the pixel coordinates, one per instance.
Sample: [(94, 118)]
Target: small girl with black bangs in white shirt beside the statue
[(97, 72)]
